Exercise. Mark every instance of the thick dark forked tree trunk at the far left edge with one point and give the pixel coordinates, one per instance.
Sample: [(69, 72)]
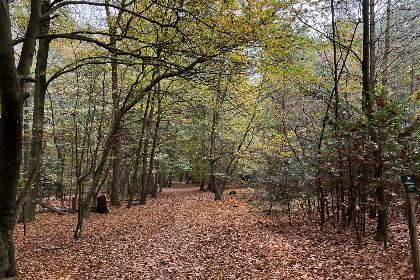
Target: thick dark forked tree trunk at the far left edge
[(11, 100)]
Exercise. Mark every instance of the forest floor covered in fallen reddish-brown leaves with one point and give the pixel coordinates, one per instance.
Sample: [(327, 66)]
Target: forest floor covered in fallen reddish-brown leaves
[(184, 234)]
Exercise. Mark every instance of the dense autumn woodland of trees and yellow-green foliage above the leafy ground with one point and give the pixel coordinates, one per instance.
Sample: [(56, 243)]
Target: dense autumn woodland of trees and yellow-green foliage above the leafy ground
[(311, 104)]
